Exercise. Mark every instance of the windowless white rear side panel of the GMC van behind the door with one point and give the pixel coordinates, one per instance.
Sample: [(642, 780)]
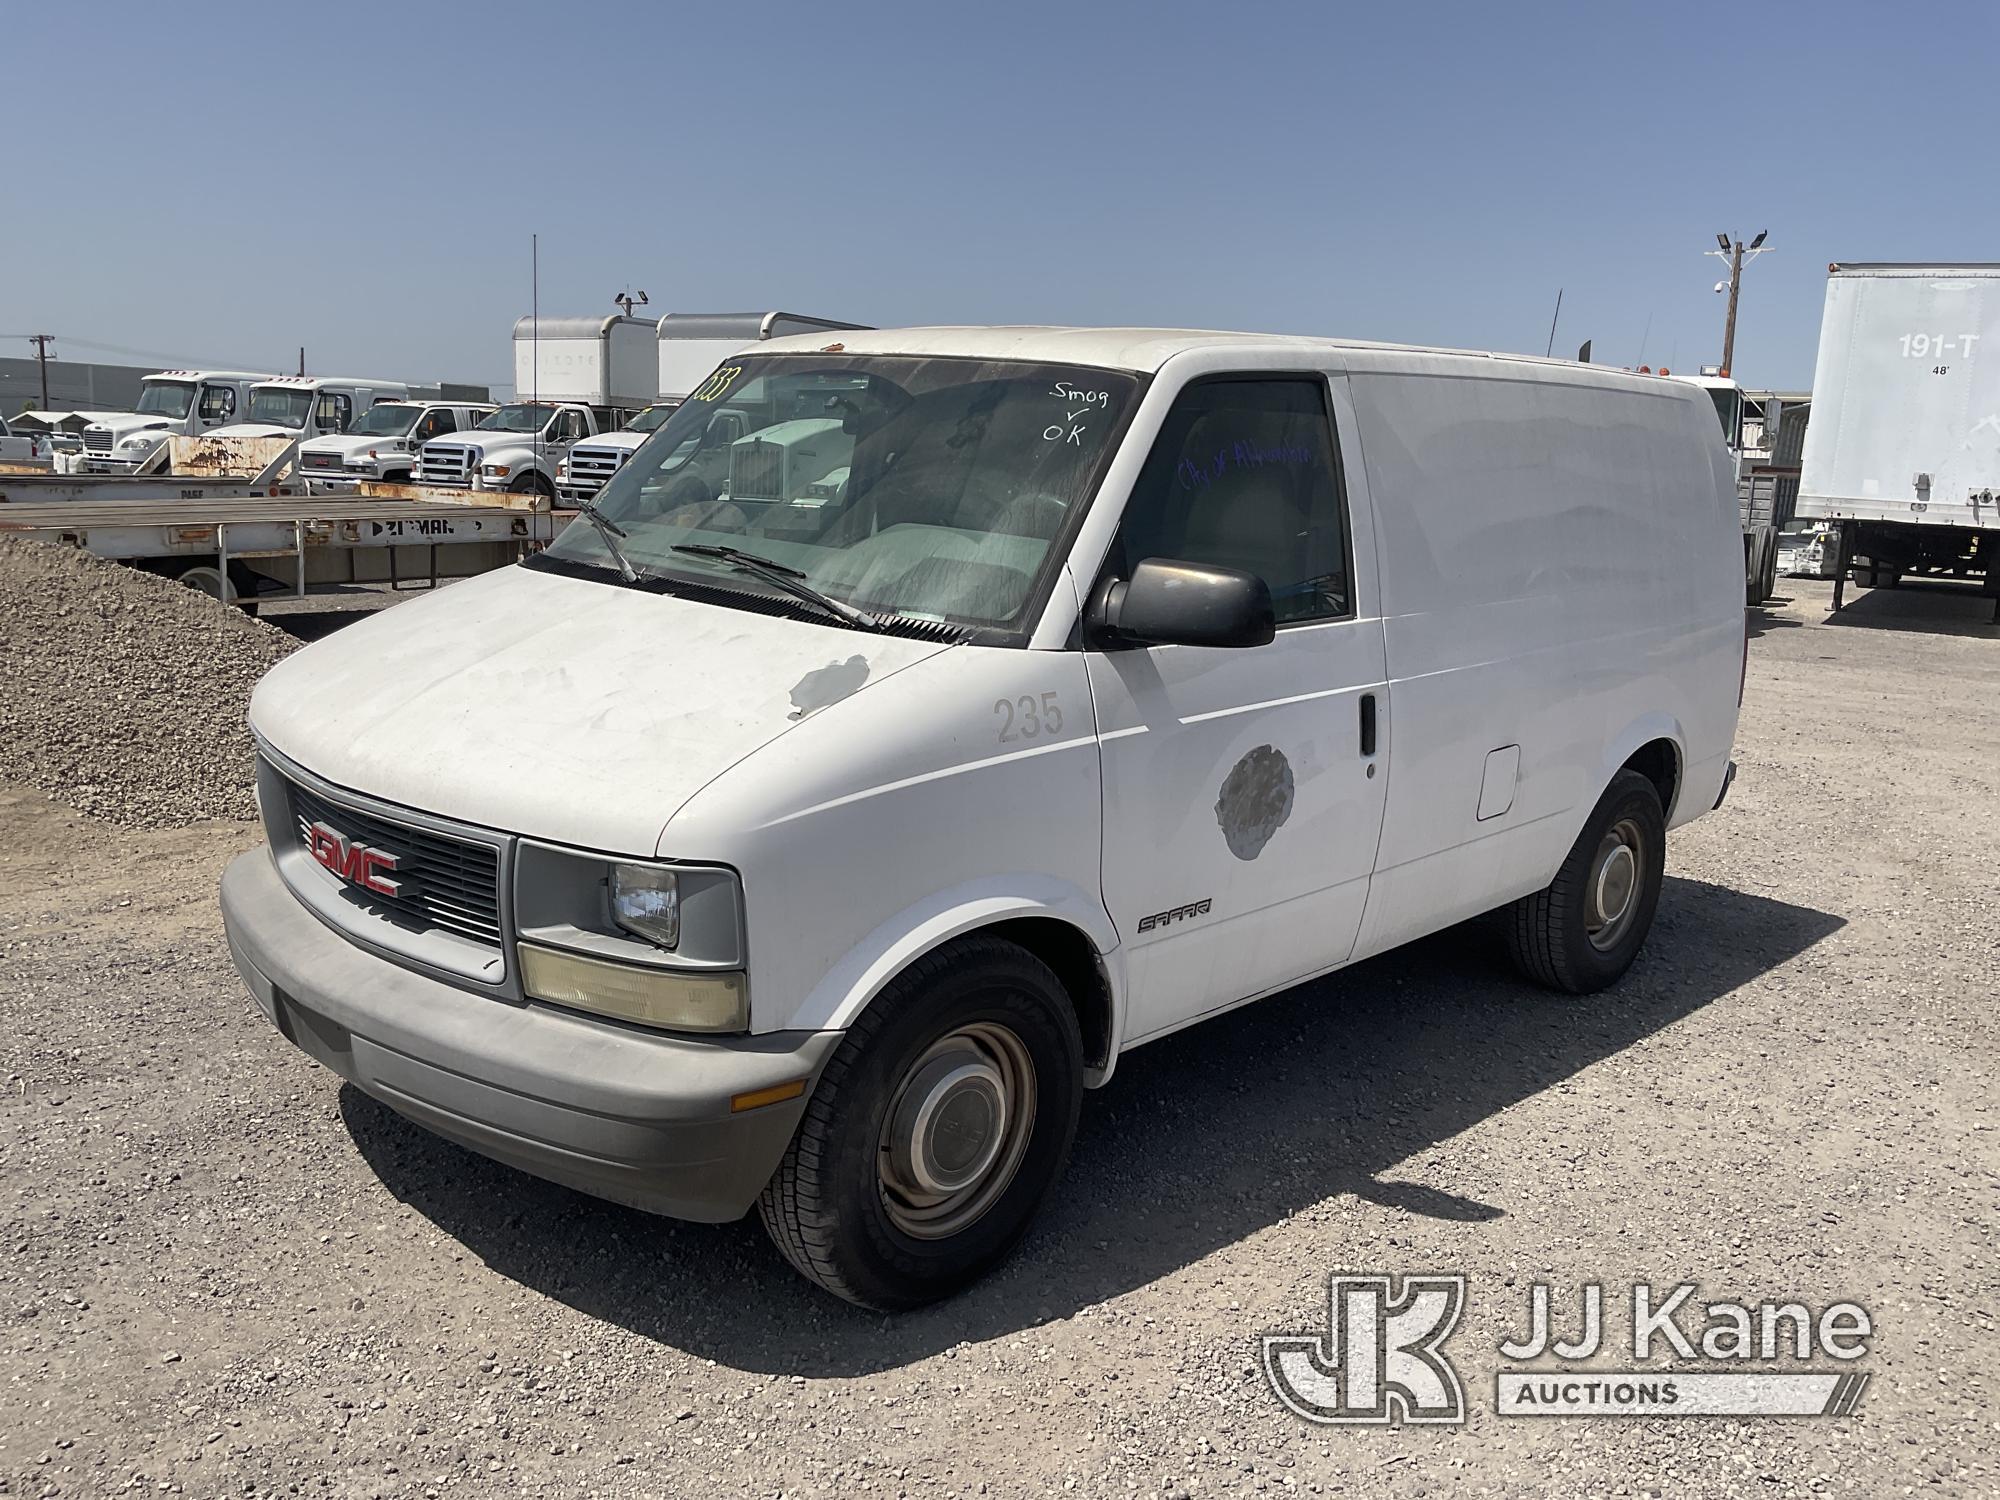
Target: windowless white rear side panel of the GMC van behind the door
[(1563, 571)]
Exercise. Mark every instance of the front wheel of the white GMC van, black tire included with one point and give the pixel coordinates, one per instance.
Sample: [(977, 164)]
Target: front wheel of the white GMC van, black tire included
[(839, 1205)]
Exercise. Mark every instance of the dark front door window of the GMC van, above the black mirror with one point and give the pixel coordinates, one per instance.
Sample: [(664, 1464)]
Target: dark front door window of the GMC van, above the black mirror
[(1245, 475)]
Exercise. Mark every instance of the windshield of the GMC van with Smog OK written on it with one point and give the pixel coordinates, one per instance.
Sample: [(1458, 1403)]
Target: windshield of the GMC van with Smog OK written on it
[(931, 489)]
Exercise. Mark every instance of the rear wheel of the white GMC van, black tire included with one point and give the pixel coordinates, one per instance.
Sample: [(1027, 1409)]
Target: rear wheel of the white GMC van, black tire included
[(1563, 937)]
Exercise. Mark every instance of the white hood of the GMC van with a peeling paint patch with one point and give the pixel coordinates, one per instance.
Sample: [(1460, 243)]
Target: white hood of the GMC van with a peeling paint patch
[(557, 707)]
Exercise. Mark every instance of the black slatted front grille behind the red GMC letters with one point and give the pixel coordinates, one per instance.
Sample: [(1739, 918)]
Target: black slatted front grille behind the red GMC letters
[(447, 885)]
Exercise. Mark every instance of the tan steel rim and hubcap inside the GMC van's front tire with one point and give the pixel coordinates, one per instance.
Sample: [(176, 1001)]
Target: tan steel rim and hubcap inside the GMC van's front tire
[(957, 1131)]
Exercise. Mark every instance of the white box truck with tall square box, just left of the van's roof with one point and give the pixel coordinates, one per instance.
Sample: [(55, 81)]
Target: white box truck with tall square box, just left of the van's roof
[(573, 379)]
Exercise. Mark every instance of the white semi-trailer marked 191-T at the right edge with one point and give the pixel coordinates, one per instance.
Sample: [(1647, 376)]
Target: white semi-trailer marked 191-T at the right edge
[(1905, 439)]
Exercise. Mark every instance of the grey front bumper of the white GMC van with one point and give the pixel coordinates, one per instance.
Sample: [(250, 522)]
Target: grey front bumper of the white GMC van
[(637, 1117)]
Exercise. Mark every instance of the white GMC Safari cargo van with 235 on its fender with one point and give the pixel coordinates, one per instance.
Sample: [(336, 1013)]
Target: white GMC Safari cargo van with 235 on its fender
[(951, 711)]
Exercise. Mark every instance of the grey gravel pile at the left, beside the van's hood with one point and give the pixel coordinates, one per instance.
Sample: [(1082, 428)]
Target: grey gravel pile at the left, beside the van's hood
[(125, 695)]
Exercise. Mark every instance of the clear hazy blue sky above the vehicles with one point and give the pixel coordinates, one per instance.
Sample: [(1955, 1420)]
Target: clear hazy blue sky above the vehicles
[(231, 183)]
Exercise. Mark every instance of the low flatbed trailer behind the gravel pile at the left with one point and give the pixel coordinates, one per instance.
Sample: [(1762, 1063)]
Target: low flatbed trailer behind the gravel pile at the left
[(245, 547)]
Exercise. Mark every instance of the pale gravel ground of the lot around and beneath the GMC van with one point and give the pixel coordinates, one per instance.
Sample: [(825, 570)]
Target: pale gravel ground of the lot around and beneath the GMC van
[(223, 1273)]
